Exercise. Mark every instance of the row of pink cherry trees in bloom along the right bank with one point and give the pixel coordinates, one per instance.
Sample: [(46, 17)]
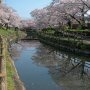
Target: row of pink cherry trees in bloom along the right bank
[(62, 12)]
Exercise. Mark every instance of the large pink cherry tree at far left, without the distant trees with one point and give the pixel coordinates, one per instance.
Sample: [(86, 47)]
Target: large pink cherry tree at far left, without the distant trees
[(8, 16)]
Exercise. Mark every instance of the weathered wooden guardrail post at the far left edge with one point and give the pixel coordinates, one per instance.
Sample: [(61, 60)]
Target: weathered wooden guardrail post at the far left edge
[(3, 81)]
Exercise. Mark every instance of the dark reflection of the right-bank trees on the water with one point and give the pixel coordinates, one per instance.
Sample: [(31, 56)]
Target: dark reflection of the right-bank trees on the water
[(69, 71)]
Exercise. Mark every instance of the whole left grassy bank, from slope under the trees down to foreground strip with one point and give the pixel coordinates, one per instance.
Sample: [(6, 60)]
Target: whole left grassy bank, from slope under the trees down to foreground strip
[(7, 35)]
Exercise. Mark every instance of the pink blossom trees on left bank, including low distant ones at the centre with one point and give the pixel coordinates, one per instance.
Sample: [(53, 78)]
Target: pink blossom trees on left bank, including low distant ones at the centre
[(10, 18)]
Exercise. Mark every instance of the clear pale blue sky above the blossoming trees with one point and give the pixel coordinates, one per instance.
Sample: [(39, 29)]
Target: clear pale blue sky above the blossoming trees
[(24, 7)]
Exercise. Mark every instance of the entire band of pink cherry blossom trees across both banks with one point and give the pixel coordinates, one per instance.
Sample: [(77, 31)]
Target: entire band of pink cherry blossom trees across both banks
[(58, 13)]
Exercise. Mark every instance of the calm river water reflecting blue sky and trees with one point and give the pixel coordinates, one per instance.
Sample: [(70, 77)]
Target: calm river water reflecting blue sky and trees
[(43, 68)]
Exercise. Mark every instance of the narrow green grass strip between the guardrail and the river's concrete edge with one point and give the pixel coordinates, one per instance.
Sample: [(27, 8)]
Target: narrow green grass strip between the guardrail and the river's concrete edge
[(9, 67)]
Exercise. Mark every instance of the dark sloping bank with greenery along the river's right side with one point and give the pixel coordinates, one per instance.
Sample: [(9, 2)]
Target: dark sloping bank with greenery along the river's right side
[(72, 44)]
